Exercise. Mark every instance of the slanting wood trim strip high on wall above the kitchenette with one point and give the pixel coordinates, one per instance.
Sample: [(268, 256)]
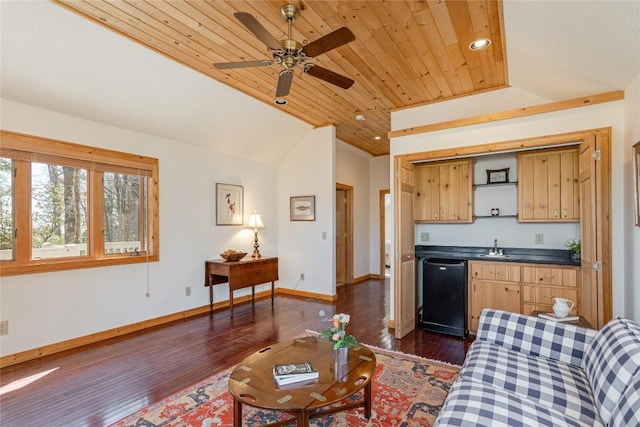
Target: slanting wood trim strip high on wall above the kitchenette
[(511, 114)]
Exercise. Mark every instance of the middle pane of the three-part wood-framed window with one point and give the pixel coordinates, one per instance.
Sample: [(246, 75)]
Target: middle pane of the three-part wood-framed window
[(59, 211)]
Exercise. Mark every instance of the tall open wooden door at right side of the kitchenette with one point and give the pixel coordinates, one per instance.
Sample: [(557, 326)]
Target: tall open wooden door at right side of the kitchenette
[(595, 228)]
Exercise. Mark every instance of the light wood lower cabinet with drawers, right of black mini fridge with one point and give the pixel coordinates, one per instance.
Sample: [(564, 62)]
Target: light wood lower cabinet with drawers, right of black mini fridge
[(520, 288)]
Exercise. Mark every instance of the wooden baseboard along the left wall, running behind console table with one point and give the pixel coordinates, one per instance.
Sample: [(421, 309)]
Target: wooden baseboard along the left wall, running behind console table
[(48, 350)]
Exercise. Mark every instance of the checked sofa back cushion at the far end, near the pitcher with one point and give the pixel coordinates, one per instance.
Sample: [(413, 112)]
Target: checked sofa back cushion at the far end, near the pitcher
[(611, 361)]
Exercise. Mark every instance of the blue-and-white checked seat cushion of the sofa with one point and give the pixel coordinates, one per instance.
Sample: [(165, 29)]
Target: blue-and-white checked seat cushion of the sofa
[(544, 382)]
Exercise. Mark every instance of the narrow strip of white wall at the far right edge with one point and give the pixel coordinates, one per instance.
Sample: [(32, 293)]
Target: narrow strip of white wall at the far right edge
[(631, 232)]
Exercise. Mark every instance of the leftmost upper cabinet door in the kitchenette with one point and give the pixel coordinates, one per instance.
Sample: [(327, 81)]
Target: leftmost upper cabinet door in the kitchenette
[(427, 200)]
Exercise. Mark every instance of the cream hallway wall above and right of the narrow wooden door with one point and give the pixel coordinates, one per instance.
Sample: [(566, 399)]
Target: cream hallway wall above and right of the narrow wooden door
[(352, 168)]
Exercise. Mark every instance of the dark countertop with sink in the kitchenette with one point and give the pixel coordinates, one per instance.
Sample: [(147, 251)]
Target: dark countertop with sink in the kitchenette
[(475, 253)]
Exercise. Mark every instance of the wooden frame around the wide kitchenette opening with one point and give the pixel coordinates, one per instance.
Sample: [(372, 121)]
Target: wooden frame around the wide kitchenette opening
[(605, 308)]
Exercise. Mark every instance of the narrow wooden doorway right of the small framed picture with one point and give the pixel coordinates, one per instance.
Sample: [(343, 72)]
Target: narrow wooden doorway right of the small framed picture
[(344, 233)]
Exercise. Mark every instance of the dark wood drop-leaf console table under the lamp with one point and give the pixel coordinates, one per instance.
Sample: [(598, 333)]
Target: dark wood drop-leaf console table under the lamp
[(240, 274)]
